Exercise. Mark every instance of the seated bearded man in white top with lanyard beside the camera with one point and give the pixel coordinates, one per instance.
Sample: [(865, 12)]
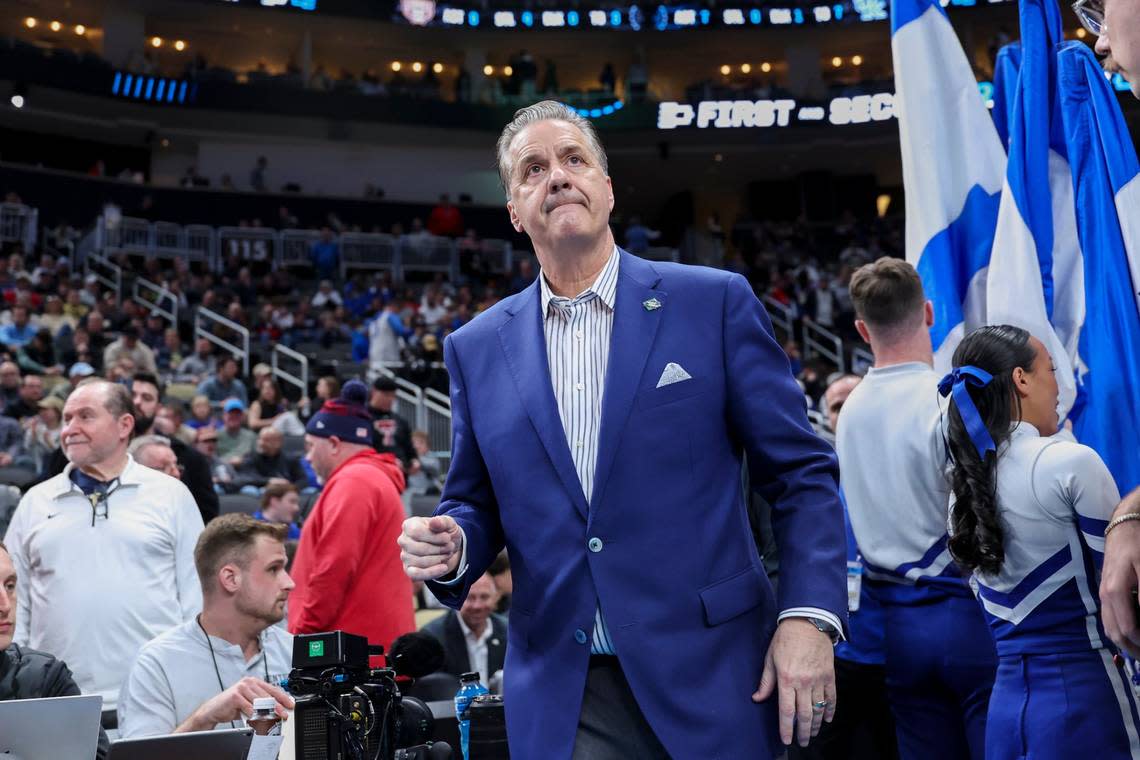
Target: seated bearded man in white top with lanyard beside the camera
[(207, 673)]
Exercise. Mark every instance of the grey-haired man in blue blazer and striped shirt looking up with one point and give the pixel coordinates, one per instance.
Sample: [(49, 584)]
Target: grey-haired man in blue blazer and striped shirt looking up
[(601, 420)]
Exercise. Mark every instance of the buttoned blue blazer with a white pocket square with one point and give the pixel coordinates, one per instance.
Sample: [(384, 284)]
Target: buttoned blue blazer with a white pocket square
[(679, 578)]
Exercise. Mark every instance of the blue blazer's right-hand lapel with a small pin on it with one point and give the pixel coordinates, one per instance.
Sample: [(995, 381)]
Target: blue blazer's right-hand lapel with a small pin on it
[(634, 331)]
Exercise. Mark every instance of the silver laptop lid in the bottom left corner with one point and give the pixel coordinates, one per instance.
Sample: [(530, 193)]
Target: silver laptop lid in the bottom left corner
[(55, 729)]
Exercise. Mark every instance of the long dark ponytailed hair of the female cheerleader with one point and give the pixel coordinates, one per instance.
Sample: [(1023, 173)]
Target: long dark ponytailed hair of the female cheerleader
[(978, 533)]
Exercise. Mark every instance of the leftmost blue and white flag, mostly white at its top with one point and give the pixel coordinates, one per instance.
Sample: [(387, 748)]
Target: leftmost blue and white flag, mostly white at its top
[(954, 169)]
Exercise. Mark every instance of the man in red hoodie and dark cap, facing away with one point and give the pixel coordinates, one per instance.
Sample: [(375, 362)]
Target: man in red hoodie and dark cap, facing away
[(348, 571)]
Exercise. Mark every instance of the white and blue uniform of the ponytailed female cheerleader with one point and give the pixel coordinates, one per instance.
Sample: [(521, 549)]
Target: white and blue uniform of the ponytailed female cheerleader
[(1058, 694)]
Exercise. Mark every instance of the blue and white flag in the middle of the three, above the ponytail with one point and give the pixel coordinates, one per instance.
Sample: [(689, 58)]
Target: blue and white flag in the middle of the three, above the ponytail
[(1036, 244)]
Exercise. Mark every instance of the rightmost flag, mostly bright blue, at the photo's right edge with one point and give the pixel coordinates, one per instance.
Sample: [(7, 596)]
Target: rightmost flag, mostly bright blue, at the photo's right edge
[(1106, 185)]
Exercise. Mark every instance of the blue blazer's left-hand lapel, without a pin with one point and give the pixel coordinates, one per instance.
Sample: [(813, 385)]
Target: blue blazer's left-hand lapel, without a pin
[(525, 346)]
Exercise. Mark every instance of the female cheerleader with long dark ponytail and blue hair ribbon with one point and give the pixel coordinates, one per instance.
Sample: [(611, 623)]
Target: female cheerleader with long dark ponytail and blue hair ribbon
[(1028, 517)]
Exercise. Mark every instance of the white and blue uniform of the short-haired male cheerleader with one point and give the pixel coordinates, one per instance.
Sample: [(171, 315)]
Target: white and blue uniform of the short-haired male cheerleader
[(940, 657)]
